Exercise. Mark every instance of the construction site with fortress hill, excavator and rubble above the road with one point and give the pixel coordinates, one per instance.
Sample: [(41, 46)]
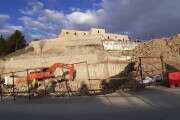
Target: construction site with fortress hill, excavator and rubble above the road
[(89, 63)]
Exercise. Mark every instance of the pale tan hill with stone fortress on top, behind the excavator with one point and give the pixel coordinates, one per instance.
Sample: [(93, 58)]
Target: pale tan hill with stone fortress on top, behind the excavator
[(106, 54)]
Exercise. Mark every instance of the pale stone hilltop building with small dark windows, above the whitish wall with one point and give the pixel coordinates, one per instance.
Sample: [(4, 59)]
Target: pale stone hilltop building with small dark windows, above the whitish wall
[(76, 38)]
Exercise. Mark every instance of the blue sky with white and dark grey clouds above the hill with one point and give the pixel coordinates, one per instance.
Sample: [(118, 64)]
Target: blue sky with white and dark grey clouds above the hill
[(140, 19)]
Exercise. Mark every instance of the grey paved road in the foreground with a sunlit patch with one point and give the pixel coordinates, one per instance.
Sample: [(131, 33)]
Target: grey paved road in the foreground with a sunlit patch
[(150, 104)]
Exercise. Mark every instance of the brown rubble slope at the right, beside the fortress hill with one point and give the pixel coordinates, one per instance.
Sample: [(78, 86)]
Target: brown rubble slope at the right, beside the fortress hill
[(169, 48)]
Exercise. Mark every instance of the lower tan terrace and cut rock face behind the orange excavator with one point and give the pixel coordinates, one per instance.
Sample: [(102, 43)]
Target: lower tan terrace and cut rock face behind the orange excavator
[(95, 68)]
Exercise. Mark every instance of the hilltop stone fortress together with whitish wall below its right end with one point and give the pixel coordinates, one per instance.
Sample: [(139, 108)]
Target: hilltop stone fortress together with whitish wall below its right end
[(74, 38)]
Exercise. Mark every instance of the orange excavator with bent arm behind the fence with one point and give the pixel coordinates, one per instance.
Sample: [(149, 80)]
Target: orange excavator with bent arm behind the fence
[(57, 72)]
